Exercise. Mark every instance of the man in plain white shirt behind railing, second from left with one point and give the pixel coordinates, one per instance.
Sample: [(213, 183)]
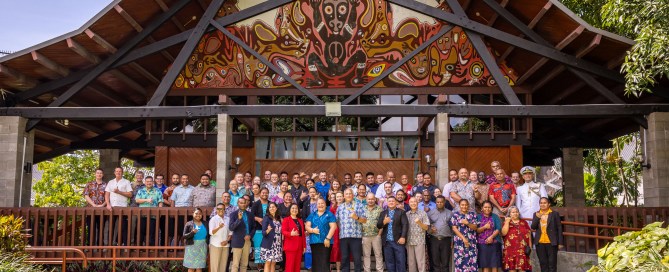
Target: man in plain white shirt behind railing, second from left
[(117, 194)]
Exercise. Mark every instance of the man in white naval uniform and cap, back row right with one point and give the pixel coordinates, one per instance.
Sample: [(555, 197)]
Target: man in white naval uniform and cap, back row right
[(529, 194)]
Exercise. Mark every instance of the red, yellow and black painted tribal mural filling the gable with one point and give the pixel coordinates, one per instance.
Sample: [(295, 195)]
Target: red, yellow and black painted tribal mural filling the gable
[(335, 43)]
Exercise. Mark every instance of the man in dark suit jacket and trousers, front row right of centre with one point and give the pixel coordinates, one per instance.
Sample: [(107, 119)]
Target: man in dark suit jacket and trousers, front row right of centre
[(395, 225)]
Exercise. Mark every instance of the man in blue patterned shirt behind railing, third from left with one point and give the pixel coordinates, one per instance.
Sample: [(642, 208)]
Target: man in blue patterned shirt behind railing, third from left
[(148, 196)]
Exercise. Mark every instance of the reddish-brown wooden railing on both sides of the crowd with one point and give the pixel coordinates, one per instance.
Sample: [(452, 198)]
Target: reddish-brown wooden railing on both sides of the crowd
[(585, 229)]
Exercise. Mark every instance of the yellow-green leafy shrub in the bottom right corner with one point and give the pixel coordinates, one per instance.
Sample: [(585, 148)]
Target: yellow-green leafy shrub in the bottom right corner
[(644, 251)]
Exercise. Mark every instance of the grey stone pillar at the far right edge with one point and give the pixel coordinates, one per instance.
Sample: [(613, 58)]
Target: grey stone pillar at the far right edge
[(656, 178)]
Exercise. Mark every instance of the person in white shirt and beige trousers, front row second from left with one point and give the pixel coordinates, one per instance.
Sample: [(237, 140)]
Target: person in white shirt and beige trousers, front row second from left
[(219, 241)]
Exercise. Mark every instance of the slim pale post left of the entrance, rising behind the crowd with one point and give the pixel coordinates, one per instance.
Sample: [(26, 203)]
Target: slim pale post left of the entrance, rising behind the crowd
[(223, 154)]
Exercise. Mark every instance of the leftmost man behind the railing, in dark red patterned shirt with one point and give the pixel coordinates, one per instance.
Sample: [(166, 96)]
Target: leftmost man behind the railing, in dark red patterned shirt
[(94, 193)]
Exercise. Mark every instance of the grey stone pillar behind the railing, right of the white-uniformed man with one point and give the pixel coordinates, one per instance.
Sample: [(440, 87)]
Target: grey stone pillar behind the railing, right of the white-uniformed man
[(572, 176)]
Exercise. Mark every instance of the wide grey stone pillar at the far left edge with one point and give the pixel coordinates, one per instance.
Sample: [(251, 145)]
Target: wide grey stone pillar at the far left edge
[(16, 151)]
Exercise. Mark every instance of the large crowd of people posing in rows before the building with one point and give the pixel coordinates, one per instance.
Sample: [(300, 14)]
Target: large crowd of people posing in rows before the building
[(482, 222)]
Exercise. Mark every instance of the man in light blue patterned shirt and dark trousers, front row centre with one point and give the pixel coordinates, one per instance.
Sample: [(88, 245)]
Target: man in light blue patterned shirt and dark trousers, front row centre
[(350, 217)]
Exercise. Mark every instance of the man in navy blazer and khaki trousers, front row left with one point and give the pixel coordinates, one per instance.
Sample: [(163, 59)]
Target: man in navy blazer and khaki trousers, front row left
[(242, 227)]
